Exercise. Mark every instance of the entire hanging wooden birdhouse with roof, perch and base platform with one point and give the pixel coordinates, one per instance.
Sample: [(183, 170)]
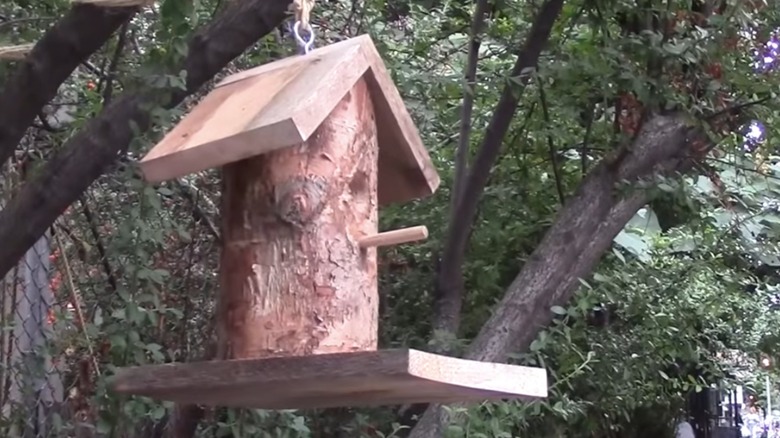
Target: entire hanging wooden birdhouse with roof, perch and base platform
[(309, 147)]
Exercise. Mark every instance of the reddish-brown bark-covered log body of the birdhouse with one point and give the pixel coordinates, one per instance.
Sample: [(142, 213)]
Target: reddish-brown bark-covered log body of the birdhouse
[(293, 279)]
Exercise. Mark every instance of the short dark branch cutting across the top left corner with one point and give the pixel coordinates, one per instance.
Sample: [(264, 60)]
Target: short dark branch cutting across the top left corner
[(77, 35)]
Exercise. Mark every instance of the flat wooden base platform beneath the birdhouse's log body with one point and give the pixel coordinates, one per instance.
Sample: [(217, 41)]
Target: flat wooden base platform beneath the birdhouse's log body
[(383, 377)]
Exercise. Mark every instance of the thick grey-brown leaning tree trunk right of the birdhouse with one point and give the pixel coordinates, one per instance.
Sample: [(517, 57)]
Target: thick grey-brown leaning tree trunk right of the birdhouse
[(580, 235)]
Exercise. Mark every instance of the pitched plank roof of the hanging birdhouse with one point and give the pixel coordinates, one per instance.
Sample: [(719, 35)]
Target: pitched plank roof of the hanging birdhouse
[(281, 104)]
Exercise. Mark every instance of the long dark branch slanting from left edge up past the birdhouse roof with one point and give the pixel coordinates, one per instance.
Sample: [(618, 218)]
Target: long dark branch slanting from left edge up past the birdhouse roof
[(90, 153)]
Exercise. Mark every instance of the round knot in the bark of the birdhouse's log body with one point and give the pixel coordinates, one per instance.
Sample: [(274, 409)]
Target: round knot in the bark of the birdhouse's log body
[(300, 200)]
